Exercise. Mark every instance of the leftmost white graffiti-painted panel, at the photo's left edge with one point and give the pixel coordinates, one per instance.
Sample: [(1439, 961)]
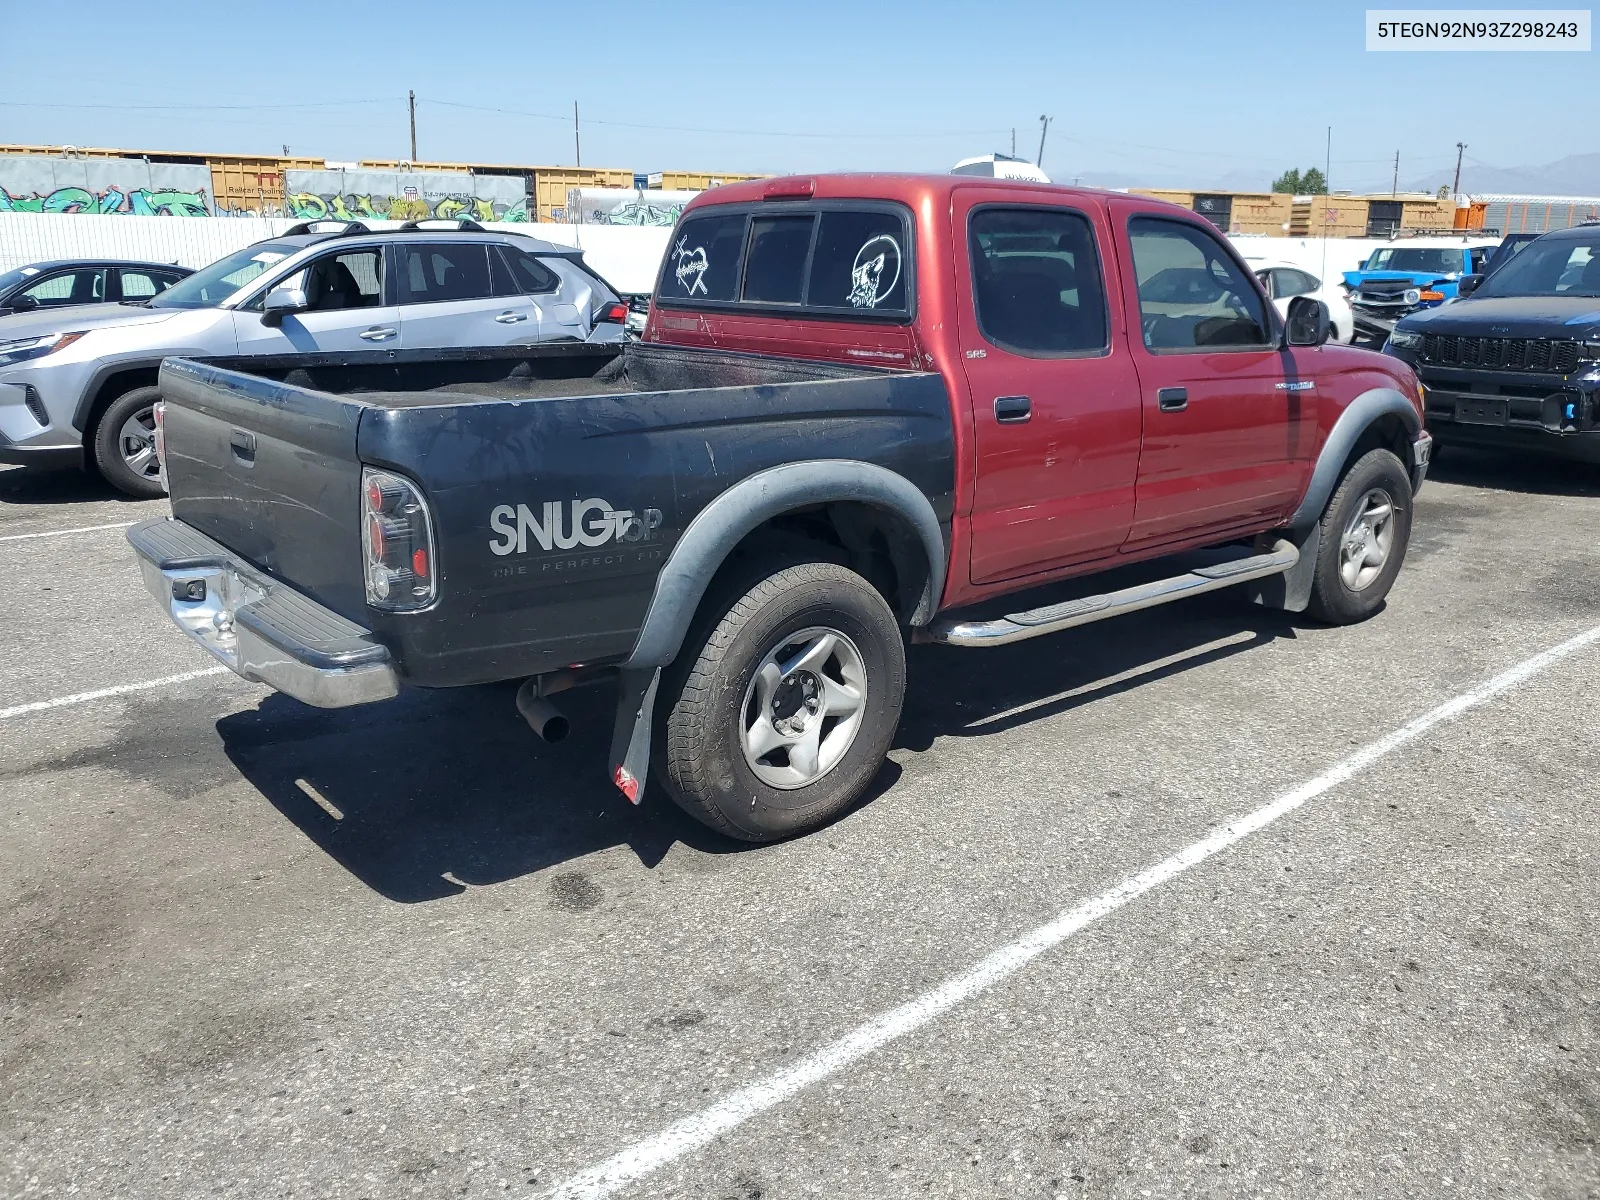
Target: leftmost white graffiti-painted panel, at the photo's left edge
[(106, 186)]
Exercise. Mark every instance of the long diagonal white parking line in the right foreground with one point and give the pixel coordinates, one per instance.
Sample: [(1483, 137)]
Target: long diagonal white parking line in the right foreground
[(695, 1132)]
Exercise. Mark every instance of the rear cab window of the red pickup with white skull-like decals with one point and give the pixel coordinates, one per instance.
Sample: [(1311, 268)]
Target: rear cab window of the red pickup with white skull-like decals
[(842, 260)]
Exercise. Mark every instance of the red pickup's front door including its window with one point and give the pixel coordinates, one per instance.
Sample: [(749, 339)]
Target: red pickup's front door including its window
[(1228, 426)]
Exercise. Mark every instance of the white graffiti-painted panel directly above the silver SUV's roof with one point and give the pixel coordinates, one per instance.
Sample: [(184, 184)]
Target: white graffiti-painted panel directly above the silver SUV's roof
[(393, 196)]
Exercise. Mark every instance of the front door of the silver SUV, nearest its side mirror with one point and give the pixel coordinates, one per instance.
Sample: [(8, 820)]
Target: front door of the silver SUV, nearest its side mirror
[(345, 292)]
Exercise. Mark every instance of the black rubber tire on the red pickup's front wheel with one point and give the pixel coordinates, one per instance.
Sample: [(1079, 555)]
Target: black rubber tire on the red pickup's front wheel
[(1334, 598)]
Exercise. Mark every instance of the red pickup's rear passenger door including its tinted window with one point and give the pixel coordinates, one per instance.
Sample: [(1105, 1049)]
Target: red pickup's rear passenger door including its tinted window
[(1055, 394)]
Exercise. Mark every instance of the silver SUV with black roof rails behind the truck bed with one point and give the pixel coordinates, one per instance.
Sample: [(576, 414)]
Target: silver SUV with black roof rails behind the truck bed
[(78, 385)]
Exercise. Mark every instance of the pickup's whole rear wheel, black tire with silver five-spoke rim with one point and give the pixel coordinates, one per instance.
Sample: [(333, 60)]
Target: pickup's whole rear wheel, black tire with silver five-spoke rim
[(783, 703)]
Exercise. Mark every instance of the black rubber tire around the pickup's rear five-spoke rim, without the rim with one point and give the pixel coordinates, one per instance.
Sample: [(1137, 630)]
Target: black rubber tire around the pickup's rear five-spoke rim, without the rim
[(706, 698)]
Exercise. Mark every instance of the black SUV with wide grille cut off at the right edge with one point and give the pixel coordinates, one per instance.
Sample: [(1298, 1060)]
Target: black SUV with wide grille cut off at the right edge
[(1518, 362)]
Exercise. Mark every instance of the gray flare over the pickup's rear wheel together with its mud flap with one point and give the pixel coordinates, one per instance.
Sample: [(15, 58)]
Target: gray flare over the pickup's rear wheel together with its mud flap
[(703, 548)]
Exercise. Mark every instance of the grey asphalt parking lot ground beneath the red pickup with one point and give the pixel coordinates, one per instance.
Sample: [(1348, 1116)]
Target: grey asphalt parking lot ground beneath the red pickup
[(255, 950)]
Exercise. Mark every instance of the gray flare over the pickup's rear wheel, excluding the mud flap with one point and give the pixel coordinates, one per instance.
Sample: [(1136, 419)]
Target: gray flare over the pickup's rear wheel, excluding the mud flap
[(713, 535)]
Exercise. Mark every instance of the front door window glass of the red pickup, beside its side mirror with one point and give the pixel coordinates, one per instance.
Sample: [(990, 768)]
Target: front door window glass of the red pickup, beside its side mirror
[(1193, 297)]
